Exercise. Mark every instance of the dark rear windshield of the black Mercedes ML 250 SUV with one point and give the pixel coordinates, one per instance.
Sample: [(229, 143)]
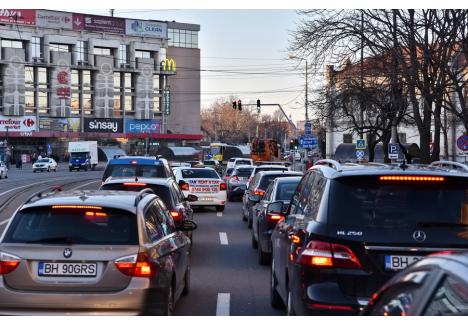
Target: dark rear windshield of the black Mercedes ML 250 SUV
[(369, 202)]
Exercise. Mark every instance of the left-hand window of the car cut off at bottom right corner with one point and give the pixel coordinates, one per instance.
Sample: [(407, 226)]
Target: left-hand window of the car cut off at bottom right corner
[(397, 301)]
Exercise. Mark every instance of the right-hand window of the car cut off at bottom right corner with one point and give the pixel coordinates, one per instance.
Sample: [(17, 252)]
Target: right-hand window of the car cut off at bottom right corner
[(450, 298)]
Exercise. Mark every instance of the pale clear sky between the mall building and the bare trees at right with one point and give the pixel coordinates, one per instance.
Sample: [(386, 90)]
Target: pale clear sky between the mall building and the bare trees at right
[(248, 50)]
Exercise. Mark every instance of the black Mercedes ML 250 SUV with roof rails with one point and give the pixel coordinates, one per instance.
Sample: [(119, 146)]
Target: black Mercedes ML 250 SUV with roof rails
[(350, 228)]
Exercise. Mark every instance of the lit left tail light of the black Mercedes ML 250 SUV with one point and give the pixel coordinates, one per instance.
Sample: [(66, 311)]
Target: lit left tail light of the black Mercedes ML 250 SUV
[(325, 254)]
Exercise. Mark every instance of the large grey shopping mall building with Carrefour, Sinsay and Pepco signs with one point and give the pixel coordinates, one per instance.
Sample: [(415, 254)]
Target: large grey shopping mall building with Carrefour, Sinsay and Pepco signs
[(72, 76)]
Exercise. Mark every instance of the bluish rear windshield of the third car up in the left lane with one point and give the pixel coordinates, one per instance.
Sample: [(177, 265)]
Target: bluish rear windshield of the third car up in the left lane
[(135, 170)]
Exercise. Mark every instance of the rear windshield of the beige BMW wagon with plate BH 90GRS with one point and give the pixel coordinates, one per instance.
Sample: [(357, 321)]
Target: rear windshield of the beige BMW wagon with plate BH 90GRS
[(47, 225)]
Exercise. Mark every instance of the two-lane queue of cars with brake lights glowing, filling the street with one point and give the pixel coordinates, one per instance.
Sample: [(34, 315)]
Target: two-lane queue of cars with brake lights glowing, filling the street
[(340, 239)]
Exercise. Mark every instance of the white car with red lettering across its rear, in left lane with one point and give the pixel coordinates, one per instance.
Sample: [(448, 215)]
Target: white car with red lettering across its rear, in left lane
[(205, 183)]
